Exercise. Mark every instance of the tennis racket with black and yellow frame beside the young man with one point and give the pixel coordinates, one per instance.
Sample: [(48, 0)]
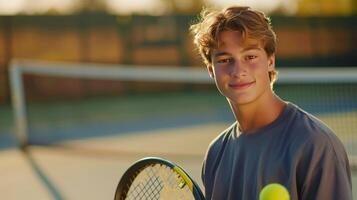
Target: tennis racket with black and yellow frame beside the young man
[(155, 178)]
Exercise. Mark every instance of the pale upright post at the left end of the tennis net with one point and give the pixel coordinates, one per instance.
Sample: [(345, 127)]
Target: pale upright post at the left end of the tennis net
[(18, 104)]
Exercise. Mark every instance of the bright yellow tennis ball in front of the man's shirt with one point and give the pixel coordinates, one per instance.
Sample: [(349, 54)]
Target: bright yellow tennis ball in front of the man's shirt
[(274, 191)]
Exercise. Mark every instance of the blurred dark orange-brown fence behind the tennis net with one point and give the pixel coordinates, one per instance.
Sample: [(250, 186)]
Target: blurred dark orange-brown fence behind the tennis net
[(153, 40)]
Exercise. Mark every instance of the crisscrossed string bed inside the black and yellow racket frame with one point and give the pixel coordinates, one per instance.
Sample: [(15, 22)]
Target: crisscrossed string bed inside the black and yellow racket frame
[(158, 182)]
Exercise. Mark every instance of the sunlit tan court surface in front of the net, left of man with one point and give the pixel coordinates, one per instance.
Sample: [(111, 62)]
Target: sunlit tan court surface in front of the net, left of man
[(91, 168)]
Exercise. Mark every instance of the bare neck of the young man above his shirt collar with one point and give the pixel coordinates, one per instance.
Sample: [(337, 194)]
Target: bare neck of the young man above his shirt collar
[(255, 115)]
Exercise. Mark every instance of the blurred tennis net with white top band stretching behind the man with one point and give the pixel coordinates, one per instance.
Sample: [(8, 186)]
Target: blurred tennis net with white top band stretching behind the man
[(144, 97)]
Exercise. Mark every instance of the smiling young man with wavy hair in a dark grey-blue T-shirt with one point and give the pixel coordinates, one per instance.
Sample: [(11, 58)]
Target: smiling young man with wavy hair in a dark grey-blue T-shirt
[(272, 141)]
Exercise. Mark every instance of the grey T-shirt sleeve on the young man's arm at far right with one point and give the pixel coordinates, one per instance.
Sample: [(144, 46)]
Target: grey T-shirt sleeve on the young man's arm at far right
[(325, 172)]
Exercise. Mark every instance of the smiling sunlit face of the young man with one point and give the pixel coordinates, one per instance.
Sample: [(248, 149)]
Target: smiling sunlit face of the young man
[(241, 68)]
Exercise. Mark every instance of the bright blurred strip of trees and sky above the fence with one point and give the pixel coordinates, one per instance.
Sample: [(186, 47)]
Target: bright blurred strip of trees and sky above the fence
[(157, 7)]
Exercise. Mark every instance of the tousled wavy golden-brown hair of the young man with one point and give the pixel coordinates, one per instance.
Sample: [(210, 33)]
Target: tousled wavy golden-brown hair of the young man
[(248, 22)]
